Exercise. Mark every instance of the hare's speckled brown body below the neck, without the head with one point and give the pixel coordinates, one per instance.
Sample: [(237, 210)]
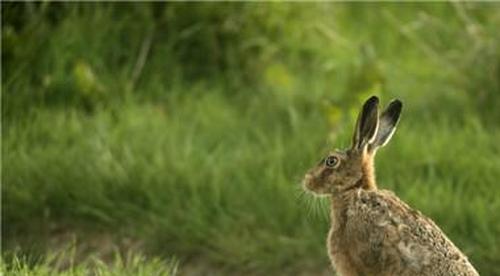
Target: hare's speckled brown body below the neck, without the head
[(374, 233)]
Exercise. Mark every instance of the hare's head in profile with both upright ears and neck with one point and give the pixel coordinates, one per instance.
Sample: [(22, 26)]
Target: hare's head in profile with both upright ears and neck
[(342, 170)]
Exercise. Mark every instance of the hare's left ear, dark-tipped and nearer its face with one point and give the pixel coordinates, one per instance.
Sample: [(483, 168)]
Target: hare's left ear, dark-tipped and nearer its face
[(366, 125)]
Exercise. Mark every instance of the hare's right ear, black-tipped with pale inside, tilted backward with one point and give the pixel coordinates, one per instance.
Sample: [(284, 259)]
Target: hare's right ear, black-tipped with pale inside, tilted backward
[(387, 124)]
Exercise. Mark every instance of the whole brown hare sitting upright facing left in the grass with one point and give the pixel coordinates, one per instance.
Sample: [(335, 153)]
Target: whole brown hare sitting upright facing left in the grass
[(373, 232)]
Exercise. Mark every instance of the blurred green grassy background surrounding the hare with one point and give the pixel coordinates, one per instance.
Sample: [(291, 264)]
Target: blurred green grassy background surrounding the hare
[(172, 137)]
